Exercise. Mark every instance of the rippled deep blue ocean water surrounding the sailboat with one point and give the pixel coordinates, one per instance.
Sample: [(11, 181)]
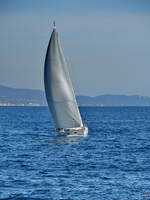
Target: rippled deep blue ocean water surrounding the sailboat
[(112, 163)]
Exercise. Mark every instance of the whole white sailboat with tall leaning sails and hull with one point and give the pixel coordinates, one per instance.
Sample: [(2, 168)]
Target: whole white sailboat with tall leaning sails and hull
[(59, 91)]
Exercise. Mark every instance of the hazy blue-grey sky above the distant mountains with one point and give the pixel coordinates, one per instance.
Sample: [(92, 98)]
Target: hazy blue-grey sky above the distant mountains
[(106, 43)]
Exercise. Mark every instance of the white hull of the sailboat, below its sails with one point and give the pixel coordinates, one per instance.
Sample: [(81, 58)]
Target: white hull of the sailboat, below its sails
[(79, 131)]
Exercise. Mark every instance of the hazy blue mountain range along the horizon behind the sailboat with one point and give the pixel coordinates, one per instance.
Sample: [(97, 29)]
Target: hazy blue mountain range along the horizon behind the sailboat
[(27, 97)]
